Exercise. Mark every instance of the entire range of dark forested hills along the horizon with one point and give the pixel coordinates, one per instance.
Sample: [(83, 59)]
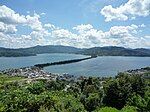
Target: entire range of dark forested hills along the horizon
[(100, 51)]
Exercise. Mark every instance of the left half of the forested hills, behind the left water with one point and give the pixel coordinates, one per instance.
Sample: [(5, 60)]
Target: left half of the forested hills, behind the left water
[(32, 51)]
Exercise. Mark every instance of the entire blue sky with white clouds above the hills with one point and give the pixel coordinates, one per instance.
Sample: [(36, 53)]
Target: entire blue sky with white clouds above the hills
[(78, 23)]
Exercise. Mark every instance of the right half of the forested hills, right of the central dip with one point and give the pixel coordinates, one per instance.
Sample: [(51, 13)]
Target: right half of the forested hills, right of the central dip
[(116, 51)]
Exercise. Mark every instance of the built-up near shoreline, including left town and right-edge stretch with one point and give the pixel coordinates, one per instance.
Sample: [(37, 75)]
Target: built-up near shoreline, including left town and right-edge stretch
[(34, 72)]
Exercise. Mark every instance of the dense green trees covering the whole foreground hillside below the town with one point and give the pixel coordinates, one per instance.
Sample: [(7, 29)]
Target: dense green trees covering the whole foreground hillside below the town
[(123, 93)]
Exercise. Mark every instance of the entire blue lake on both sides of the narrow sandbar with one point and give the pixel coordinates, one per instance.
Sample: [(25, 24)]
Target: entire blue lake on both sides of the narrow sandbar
[(100, 66)]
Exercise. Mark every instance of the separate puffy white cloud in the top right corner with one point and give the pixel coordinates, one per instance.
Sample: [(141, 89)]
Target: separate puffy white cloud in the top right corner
[(131, 9)]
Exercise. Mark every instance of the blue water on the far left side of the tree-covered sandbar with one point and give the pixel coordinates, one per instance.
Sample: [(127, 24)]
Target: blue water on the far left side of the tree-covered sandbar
[(17, 62)]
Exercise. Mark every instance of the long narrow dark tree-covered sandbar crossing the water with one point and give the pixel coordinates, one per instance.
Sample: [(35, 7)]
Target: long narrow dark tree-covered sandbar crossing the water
[(63, 62)]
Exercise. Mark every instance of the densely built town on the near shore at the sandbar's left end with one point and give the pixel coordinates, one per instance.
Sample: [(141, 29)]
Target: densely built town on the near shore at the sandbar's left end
[(35, 73)]
